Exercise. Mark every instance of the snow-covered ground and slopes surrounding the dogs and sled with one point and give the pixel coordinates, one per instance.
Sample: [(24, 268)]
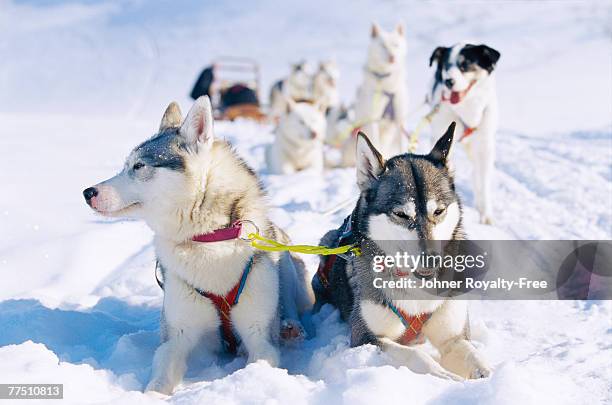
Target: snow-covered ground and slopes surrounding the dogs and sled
[(81, 83)]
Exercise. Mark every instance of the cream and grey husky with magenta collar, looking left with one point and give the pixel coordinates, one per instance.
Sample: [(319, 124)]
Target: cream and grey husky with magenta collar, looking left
[(193, 190)]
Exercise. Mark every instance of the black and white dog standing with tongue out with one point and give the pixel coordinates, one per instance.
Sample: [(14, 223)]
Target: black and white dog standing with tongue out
[(464, 89)]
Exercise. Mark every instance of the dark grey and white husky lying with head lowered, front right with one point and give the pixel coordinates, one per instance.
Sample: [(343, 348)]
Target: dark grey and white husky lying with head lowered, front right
[(406, 198)]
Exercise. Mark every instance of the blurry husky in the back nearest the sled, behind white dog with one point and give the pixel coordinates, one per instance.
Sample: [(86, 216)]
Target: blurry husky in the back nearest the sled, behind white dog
[(297, 87)]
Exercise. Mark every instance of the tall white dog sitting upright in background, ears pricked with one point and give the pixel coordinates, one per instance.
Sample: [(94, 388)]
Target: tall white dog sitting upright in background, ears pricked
[(380, 108)]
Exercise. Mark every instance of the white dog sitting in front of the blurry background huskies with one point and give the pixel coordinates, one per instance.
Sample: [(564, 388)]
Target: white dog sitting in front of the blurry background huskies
[(299, 140)]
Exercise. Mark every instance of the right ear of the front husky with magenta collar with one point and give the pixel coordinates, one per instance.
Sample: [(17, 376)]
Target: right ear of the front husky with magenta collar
[(198, 126)]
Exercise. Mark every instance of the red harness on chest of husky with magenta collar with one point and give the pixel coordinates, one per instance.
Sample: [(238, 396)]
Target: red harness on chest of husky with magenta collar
[(224, 305)]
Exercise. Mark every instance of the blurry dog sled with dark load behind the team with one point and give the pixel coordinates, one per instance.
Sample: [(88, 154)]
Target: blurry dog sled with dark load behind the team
[(233, 85)]
